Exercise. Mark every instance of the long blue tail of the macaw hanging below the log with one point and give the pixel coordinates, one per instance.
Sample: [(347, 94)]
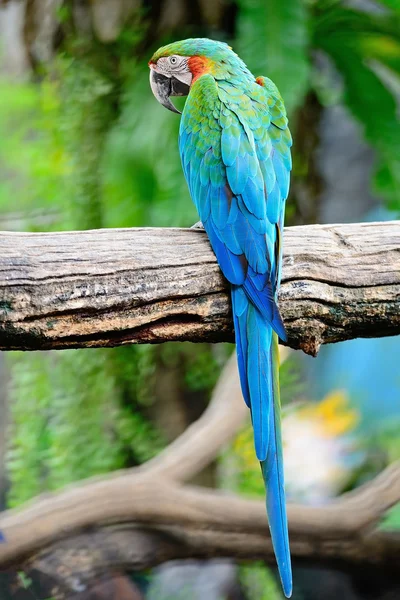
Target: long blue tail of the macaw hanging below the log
[(258, 361)]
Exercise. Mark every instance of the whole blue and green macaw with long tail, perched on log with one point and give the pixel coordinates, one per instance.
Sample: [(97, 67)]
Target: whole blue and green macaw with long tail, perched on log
[(235, 144)]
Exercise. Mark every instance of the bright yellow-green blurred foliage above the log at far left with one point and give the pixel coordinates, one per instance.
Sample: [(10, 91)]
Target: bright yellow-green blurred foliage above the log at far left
[(55, 135)]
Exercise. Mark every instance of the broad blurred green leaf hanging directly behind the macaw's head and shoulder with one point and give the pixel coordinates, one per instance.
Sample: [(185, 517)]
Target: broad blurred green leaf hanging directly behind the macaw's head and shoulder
[(273, 40)]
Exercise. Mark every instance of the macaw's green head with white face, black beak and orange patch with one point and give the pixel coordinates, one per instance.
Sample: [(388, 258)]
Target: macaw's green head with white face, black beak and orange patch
[(174, 68)]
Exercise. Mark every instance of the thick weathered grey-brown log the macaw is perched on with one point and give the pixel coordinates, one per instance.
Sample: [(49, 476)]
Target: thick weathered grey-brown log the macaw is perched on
[(113, 287)]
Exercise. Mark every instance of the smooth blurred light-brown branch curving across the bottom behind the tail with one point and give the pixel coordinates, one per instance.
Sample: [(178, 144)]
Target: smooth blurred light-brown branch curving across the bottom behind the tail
[(188, 521)]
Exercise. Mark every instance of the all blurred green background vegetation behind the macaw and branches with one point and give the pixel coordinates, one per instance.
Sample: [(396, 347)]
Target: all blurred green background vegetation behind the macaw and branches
[(81, 149)]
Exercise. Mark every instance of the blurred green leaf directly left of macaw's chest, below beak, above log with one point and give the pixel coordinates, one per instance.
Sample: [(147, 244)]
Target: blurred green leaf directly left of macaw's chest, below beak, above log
[(140, 187)]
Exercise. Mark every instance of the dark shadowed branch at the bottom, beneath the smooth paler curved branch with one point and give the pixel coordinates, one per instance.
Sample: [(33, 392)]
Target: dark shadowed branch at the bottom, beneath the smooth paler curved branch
[(85, 557)]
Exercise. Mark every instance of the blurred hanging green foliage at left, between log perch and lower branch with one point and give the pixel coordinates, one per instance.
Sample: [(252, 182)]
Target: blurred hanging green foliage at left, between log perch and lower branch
[(69, 421)]
